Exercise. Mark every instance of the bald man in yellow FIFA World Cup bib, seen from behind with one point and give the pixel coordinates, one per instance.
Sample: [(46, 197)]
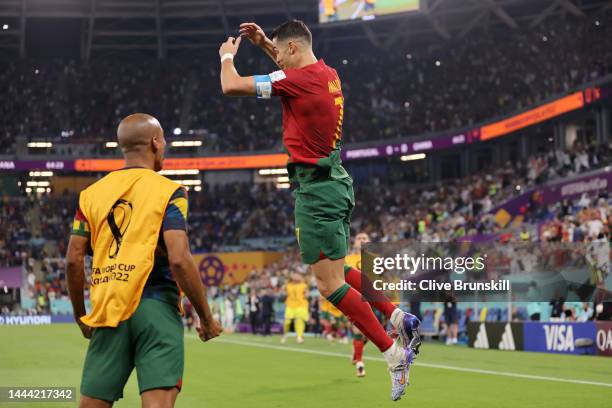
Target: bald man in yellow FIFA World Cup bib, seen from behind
[(133, 223)]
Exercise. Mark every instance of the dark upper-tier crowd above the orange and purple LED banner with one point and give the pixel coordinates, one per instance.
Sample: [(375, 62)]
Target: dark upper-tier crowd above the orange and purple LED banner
[(429, 87)]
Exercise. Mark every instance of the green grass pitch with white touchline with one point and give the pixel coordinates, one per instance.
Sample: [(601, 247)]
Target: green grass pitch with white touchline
[(247, 371)]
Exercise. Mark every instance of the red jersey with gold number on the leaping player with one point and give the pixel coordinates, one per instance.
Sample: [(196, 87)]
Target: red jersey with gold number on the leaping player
[(313, 110)]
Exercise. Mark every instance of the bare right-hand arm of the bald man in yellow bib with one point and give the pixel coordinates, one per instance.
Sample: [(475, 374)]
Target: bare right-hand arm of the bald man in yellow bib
[(187, 276)]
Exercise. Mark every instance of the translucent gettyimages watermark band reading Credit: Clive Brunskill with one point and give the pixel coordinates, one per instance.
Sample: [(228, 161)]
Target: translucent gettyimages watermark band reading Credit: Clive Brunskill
[(486, 271)]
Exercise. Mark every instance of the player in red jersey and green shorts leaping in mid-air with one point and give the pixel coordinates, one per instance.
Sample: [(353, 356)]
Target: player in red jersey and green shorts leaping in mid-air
[(313, 109)]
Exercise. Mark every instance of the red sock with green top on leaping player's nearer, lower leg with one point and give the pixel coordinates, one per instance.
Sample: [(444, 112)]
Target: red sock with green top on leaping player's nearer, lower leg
[(348, 301)]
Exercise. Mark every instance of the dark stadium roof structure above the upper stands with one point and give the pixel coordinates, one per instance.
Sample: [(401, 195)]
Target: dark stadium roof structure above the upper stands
[(168, 26)]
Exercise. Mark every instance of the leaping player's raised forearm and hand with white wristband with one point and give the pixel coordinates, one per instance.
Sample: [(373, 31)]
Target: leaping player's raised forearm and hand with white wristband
[(232, 83)]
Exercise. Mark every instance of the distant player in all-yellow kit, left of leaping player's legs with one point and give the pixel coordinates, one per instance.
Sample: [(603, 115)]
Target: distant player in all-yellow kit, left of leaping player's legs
[(296, 307)]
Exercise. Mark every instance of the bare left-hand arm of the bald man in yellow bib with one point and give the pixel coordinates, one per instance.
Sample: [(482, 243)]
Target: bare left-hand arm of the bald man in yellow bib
[(75, 274)]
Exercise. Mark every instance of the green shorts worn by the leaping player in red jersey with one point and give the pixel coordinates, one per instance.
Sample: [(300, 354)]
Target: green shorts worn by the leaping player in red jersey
[(324, 202)]
